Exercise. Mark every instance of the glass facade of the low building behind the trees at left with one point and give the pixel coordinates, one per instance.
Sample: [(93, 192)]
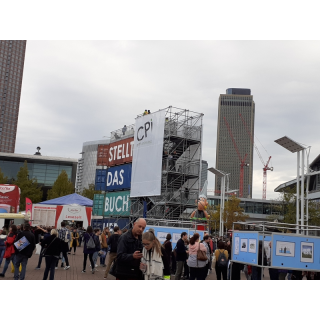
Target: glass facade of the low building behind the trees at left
[(45, 173)]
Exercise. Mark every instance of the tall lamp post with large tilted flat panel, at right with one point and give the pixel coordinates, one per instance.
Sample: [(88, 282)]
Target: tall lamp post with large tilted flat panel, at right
[(295, 147)]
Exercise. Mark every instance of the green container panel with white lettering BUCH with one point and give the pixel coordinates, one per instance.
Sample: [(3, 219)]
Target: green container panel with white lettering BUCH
[(117, 204)]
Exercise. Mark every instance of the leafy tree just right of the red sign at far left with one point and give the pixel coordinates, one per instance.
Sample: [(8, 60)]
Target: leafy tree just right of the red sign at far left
[(29, 187)]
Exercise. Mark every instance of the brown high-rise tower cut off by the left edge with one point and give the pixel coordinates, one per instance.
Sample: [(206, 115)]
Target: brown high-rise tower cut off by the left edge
[(12, 55)]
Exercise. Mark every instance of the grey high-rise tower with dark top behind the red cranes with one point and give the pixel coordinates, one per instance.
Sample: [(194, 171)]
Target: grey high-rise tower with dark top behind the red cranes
[(231, 105)]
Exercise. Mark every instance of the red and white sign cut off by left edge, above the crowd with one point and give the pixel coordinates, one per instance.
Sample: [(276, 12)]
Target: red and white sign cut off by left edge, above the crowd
[(9, 198)]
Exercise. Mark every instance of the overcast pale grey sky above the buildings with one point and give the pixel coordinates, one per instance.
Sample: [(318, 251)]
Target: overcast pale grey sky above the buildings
[(77, 91)]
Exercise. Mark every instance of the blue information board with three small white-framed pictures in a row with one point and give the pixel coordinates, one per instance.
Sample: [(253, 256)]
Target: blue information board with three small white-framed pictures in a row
[(245, 247)]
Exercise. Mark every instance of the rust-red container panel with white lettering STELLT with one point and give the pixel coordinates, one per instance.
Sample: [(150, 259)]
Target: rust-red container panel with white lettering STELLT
[(116, 153)]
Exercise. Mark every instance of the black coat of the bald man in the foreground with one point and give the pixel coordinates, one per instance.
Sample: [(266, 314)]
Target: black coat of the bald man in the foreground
[(126, 266)]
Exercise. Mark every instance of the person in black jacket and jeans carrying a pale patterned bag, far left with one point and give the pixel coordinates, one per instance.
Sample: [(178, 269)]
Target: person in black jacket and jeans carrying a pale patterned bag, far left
[(26, 253)]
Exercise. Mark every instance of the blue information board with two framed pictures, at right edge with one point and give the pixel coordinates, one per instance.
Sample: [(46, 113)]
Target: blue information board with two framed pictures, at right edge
[(295, 252)]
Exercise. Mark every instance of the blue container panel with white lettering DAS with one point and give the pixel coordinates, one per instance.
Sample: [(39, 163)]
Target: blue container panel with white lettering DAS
[(119, 177)]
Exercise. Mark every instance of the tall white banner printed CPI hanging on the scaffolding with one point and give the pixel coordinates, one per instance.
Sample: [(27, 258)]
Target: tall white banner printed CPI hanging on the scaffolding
[(147, 155)]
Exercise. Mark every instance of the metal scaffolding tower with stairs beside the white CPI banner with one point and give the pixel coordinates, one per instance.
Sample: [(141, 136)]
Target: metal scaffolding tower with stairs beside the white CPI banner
[(181, 171)]
